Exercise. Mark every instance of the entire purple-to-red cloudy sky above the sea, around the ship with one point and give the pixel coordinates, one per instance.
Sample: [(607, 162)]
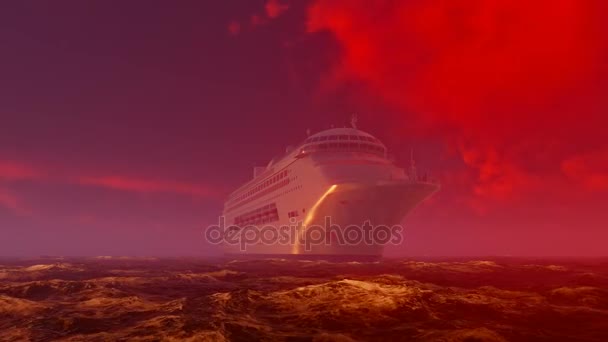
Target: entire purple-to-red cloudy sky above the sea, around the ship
[(124, 126)]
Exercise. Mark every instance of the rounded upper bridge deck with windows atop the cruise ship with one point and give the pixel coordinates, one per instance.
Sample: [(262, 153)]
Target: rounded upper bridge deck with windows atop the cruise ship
[(343, 139)]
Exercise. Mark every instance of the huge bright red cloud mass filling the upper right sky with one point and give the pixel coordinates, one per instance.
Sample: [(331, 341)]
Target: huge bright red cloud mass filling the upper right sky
[(520, 83)]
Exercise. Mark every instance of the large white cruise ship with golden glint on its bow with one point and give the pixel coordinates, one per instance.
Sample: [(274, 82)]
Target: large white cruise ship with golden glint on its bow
[(342, 175)]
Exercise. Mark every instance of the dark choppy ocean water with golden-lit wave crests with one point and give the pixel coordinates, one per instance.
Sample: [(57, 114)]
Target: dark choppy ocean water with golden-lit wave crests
[(149, 299)]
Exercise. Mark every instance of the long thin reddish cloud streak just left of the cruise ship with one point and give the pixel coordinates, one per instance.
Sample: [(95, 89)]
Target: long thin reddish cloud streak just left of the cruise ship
[(147, 186)]
